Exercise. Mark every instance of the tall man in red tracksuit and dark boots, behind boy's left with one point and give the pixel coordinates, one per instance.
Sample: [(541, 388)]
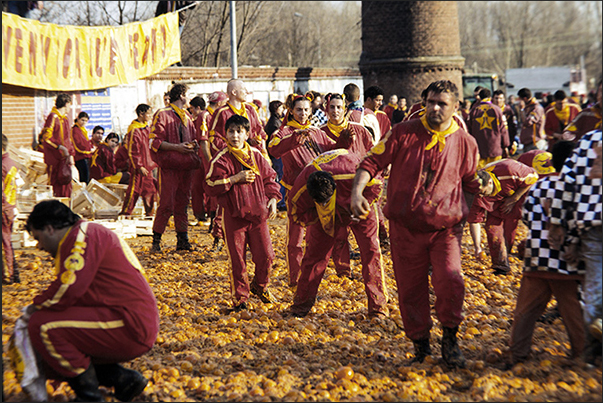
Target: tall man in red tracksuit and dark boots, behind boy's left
[(174, 148)]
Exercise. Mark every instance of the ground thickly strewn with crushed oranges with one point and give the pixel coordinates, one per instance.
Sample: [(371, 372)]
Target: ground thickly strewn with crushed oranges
[(336, 353)]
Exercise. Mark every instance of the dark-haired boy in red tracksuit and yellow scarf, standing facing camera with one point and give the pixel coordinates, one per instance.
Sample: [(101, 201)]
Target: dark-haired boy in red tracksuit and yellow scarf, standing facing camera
[(245, 185)]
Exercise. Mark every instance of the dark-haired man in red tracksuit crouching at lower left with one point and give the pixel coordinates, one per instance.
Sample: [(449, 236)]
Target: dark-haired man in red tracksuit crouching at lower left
[(98, 312)]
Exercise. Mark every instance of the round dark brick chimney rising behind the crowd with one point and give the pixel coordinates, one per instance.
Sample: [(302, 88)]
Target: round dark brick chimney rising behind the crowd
[(406, 45)]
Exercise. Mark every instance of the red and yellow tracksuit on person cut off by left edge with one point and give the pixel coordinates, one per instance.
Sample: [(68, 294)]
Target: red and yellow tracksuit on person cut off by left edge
[(9, 201)]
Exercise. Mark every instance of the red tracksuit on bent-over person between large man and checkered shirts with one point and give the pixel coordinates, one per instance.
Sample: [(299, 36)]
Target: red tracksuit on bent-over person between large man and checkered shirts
[(509, 176)]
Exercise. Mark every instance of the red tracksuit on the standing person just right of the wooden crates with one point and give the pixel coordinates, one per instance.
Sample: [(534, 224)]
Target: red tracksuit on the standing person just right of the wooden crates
[(139, 155)]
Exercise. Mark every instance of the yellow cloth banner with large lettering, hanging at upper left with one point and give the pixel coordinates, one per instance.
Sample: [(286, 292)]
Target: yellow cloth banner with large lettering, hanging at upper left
[(69, 58)]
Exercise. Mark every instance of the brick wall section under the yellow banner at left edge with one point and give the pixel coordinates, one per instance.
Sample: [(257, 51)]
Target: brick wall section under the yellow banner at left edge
[(18, 114)]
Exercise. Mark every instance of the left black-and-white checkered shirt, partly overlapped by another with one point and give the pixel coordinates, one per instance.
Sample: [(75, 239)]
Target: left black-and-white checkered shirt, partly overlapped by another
[(539, 256)]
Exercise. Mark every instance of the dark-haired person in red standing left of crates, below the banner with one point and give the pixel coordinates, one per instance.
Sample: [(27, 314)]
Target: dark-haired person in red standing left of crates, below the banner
[(56, 144)]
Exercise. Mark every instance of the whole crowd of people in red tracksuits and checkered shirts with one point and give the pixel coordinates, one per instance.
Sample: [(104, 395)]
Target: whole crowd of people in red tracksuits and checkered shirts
[(405, 177)]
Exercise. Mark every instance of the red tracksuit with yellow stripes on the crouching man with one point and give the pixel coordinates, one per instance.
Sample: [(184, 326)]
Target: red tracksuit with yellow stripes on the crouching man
[(100, 307)]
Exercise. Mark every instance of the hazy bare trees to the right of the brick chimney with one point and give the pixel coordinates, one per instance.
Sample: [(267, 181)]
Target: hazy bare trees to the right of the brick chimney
[(496, 36)]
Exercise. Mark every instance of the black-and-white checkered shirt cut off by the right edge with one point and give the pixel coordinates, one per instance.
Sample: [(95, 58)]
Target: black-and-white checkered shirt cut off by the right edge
[(579, 198)]
